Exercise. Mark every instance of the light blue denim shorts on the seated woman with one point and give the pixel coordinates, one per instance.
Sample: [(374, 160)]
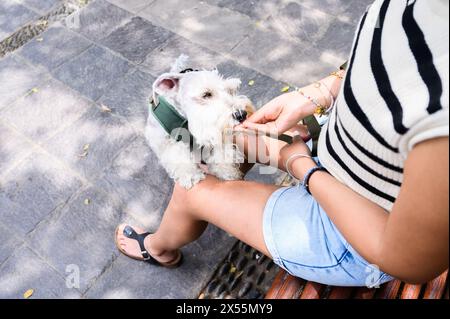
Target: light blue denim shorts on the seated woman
[(303, 241)]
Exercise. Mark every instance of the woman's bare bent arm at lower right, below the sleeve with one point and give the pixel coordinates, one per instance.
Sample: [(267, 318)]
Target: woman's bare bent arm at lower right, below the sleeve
[(412, 242)]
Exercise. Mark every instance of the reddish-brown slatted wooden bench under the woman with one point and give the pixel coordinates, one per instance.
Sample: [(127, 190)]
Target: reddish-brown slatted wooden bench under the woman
[(286, 286)]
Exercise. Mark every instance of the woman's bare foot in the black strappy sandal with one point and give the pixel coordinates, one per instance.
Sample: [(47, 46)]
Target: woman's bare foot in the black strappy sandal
[(131, 248)]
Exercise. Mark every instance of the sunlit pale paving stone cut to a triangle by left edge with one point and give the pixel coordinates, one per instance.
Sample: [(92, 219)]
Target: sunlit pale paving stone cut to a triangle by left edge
[(17, 78)]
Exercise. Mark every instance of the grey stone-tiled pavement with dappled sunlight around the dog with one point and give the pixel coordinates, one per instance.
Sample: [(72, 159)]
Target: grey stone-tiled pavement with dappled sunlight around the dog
[(70, 170)]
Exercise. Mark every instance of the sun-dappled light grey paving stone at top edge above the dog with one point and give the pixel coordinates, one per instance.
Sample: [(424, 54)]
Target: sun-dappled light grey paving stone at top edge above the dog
[(200, 22)]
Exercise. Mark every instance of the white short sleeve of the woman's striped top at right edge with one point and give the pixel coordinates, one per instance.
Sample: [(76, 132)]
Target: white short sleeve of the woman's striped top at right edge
[(433, 126)]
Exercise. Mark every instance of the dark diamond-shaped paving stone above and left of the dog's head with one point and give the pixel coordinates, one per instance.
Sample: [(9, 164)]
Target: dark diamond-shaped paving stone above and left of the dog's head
[(136, 39)]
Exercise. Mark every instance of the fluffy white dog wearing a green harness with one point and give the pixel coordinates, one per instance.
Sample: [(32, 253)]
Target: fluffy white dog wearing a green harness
[(210, 107)]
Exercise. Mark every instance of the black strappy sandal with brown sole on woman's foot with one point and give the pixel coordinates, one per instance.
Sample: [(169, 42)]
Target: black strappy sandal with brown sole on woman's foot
[(129, 232)]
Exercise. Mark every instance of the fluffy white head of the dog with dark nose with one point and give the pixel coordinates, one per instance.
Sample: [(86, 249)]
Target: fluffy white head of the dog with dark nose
[(207, 100)]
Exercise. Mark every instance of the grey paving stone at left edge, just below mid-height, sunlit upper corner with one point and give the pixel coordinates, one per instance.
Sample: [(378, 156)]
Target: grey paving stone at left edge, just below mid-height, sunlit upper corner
[(33, 190)]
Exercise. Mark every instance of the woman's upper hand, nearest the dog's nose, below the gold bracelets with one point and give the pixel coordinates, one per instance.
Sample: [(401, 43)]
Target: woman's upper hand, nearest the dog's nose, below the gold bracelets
[(279, 115)]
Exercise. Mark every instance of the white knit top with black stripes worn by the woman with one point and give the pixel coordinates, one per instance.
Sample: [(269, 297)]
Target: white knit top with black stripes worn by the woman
[(394, 96)]
